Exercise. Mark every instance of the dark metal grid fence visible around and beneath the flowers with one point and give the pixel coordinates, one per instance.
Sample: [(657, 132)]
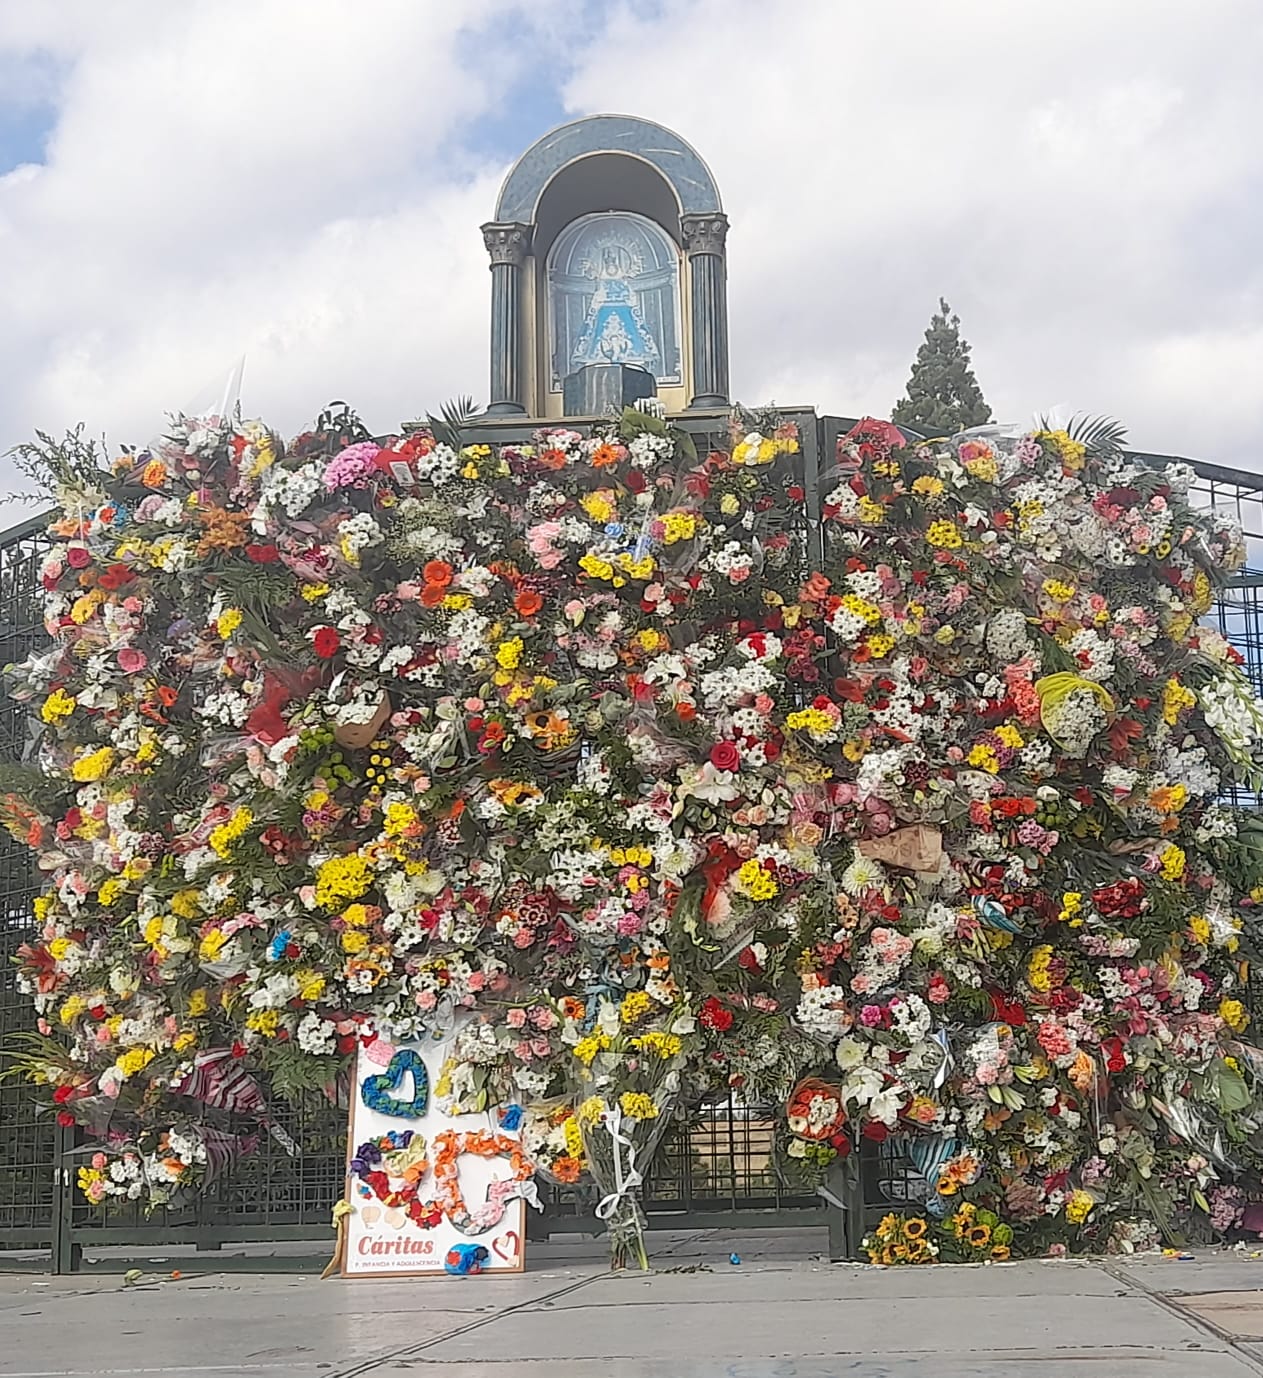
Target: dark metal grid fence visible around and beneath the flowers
[(716, 1165)]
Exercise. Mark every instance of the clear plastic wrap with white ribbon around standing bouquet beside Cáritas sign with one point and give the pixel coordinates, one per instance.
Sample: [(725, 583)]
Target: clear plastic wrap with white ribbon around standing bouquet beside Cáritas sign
[(619, 1147)]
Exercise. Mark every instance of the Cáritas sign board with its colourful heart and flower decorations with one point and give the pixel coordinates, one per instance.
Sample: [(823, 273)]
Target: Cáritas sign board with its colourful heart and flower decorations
[(384, 1235)]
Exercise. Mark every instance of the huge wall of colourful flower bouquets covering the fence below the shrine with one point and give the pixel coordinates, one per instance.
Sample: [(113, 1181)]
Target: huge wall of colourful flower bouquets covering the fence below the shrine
[(906, 815)]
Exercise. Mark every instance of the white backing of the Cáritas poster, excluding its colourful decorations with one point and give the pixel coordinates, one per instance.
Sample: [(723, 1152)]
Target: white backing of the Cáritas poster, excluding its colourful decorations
[(382, 1241)]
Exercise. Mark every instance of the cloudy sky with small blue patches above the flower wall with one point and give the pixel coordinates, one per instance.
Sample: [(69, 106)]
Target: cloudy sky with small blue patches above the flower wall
[(301, 183)]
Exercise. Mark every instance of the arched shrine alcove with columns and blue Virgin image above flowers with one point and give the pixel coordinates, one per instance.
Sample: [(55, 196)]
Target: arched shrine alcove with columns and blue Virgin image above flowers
[(609, 276)]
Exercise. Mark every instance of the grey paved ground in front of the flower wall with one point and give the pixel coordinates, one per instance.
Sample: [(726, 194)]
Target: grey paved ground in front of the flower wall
[(782, 1314)]
